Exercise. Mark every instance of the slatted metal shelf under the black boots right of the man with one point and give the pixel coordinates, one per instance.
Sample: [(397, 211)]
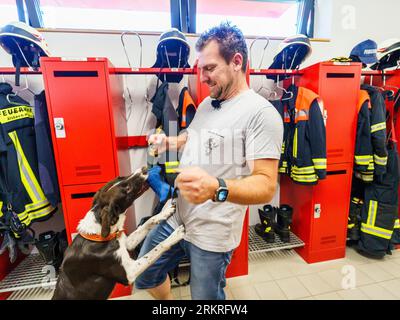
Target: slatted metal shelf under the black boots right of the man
[(258, 244)]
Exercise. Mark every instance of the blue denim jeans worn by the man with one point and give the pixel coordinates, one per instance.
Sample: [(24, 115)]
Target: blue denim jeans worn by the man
[(207, 269)]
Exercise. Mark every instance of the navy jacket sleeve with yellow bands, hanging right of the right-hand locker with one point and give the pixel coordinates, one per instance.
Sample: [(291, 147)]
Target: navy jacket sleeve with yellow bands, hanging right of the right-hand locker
[(378, 129)]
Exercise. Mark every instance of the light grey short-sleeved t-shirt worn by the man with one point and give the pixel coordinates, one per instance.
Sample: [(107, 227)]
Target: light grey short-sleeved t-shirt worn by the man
[(246, 127)]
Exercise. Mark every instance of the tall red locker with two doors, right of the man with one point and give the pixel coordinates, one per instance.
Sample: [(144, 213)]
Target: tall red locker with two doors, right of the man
[(320, 211)]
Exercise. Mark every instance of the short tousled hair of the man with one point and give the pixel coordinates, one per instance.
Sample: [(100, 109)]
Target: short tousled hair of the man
[(230, 41)]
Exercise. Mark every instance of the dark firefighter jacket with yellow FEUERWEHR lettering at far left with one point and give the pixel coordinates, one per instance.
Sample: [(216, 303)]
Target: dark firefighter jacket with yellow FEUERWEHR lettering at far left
[(20, 190)]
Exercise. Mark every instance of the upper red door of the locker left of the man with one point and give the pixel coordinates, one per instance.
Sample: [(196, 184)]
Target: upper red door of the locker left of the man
[(80, 110)]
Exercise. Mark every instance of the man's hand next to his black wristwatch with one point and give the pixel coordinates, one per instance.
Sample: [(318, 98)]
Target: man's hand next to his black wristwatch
[(196, 185)]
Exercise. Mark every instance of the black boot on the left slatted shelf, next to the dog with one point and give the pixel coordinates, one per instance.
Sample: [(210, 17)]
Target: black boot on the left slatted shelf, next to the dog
[(49, 249)]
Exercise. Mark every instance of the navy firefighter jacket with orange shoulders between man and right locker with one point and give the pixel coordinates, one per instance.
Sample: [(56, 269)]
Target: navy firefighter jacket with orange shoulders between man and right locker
[(305, 145)]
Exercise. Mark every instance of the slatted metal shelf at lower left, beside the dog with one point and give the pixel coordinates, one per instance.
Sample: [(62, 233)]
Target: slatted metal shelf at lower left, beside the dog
[(32, 272)]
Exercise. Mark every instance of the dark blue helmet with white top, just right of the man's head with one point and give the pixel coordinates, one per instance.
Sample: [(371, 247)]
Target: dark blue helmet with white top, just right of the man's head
[(292, 51)]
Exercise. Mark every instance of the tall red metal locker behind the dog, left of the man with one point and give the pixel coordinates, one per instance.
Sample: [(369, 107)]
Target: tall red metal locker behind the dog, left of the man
[(86, 114)]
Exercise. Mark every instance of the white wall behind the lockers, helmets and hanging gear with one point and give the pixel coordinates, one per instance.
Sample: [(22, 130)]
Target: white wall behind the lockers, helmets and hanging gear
[(345, 22)]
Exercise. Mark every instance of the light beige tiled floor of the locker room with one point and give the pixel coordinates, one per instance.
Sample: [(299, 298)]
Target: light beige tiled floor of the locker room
[(284, 275)]
